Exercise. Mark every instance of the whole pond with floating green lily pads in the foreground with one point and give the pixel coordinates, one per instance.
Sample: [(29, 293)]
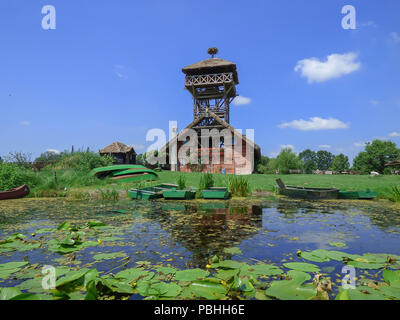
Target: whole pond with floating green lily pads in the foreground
[(267, 238)]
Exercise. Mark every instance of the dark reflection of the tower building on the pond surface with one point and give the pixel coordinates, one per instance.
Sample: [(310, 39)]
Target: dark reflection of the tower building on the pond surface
[(208, 229)]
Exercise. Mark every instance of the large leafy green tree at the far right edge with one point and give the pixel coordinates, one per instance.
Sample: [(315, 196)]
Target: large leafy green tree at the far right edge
[(375, 156)]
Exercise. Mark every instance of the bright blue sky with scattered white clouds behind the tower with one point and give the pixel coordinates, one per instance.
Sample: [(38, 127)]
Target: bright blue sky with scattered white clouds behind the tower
[(111, 70)]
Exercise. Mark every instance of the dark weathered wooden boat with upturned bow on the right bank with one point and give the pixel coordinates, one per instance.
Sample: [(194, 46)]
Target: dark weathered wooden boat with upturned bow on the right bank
[(307, 193)]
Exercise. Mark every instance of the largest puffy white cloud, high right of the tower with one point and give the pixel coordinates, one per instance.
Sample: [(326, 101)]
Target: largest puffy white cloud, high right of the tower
[(335, 66)]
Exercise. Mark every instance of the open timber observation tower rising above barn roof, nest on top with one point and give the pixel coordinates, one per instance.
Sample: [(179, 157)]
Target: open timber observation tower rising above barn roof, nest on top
[(212, 83)]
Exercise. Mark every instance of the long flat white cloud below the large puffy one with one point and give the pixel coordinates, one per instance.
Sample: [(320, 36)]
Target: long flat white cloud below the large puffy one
[(315, 123)]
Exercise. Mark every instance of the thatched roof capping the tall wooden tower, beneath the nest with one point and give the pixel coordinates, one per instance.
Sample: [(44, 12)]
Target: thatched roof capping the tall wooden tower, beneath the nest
[(210, 66)]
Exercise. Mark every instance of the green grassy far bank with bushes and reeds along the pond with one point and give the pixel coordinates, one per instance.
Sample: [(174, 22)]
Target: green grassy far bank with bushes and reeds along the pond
[(66, 175)]
